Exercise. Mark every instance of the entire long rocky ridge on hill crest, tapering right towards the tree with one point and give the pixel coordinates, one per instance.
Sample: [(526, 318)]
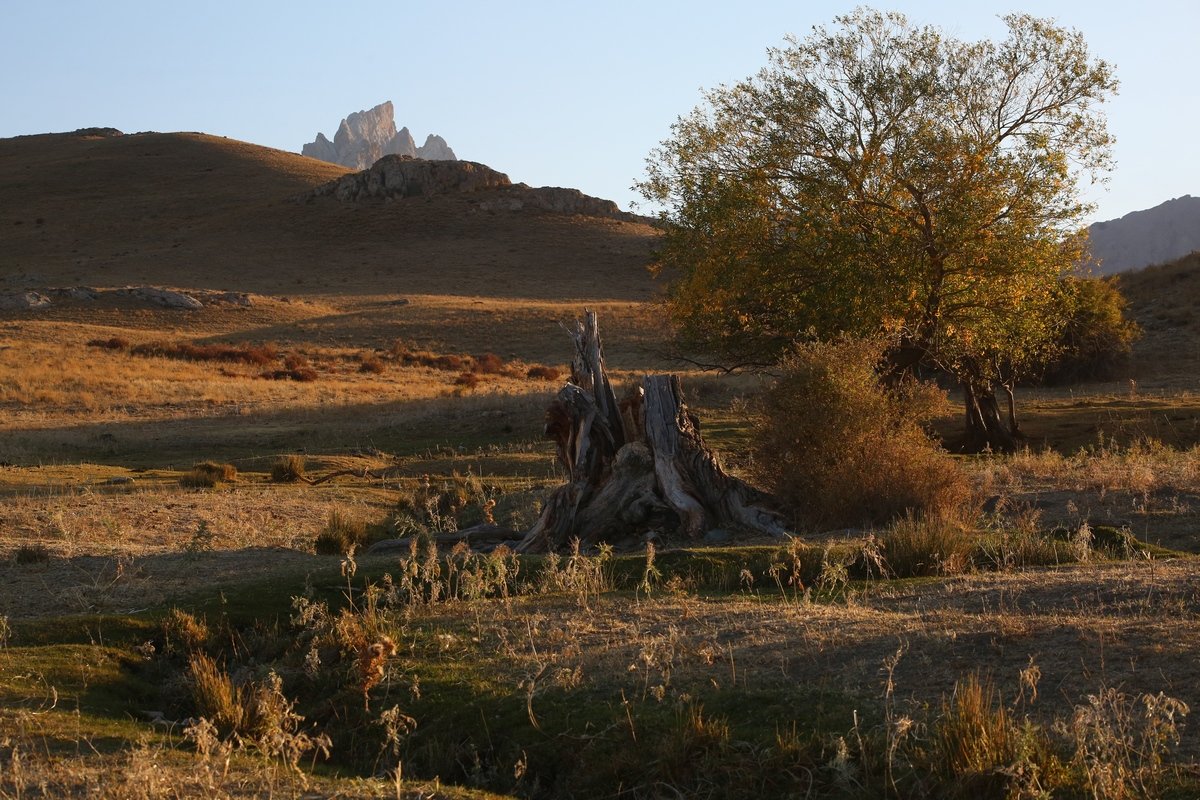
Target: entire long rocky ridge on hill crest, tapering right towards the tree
[(395, 178)]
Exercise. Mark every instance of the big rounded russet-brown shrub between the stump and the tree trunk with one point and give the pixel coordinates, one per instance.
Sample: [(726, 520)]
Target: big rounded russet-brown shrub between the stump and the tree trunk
[(842, 449)]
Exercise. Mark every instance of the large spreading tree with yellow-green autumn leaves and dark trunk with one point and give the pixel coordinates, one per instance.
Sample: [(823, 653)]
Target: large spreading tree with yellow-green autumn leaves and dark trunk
[(883, 176)]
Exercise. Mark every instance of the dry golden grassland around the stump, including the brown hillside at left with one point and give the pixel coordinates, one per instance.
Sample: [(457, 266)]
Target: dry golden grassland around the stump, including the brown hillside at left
[(169, 628)]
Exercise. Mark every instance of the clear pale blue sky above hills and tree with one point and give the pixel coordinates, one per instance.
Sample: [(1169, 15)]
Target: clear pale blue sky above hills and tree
[(551, 93)]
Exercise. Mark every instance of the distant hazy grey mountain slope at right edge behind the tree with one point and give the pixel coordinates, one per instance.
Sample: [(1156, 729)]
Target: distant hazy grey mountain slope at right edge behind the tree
[(1153, 237)]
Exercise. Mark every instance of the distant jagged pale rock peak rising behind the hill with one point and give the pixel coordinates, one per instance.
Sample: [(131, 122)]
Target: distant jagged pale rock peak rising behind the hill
[(365, 137)]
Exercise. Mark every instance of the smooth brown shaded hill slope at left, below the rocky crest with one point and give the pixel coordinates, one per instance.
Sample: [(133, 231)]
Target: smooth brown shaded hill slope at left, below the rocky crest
[(201, 212)]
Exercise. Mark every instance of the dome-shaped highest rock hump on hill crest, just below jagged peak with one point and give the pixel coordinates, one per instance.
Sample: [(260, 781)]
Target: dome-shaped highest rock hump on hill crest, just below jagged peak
[(398, 177)]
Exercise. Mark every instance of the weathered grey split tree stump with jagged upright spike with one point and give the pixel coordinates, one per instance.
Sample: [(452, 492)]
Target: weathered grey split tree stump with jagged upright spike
[(635, 466)]
